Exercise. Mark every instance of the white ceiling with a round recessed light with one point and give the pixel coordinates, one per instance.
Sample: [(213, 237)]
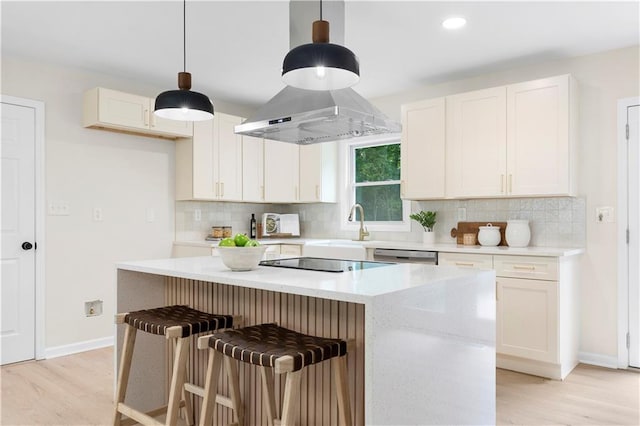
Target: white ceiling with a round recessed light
[(235, 48)]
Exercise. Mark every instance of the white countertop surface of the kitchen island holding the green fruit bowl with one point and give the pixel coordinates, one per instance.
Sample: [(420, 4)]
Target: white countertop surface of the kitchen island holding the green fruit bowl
[(358, 286)]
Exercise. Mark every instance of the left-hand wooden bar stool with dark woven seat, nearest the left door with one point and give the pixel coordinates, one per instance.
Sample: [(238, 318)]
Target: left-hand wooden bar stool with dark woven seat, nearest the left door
[(178, 323)]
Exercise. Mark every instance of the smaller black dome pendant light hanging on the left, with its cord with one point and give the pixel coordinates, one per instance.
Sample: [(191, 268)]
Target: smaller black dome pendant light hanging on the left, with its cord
[(184, 104)]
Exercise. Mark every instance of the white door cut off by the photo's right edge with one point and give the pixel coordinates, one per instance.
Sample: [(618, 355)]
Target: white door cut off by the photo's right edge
[(633, 122)]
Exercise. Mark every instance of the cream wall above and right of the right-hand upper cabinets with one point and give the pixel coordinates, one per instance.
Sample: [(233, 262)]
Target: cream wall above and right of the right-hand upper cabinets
[(603, 79)]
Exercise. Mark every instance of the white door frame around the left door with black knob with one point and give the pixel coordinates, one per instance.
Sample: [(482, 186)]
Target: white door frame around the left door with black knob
[(40, 218)]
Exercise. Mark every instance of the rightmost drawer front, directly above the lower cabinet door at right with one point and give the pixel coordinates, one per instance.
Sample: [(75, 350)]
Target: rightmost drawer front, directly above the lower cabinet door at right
[(537, 268)]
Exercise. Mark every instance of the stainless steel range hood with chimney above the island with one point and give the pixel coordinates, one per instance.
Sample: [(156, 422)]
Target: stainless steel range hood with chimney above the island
[(310, 116)]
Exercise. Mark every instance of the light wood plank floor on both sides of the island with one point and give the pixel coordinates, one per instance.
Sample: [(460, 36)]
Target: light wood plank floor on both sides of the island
[(77, 390)]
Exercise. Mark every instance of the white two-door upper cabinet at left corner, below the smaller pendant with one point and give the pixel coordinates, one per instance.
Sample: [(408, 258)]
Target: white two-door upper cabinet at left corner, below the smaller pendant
[(209, 166)]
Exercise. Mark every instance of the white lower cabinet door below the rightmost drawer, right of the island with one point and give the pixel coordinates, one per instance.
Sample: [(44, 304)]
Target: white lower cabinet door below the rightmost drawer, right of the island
[(527, 319)]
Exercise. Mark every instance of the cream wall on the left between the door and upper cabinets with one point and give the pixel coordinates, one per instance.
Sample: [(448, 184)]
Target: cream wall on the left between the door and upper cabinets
[(123, 174)]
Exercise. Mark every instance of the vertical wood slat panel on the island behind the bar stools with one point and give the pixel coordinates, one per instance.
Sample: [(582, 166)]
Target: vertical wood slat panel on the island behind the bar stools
[(309, 315)]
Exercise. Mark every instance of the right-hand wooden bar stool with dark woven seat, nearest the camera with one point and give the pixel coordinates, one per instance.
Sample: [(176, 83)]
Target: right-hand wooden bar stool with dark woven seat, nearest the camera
[(275, 350)]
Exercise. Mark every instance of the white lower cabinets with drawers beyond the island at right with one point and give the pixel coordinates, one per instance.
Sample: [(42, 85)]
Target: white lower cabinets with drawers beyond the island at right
[(536, 310)]
